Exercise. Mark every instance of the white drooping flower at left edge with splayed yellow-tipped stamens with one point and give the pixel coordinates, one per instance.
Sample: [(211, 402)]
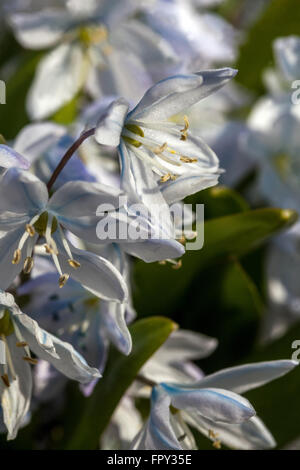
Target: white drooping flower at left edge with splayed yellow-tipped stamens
[(26, 213)]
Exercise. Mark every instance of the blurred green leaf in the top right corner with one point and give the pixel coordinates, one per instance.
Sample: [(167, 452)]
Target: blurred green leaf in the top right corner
[(281, 18)]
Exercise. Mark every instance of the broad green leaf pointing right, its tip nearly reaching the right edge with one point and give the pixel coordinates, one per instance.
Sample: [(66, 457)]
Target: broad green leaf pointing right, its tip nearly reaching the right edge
[(158, 288)]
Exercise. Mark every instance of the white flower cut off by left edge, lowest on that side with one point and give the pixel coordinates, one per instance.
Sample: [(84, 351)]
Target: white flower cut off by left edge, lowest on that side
[(19, 335)]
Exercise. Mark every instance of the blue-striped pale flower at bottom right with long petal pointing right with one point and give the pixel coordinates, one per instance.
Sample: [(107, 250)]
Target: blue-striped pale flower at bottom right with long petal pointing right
[(212, 405)]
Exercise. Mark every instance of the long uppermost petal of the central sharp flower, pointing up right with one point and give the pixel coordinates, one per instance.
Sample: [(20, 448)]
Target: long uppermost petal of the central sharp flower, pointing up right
[(175, 94)]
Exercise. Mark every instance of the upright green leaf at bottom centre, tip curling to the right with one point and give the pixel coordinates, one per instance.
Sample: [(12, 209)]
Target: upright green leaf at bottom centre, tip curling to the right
[(147, 335)]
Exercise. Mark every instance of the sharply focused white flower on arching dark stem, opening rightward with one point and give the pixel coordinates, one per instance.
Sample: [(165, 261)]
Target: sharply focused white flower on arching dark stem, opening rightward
[(158, 157)]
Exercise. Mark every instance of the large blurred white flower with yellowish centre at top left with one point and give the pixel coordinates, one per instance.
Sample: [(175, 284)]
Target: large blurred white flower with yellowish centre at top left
[(97, 45)]
